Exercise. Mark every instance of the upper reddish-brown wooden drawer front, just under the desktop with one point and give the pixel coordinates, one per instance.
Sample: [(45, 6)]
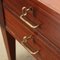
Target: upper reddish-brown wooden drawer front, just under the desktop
[(47, 19)]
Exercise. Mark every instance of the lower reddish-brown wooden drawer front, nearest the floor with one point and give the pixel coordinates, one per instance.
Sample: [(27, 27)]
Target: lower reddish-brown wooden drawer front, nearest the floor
[(18, 30)]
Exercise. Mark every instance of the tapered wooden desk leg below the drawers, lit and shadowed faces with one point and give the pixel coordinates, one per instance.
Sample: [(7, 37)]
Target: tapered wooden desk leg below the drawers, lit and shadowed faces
[(9, 44)]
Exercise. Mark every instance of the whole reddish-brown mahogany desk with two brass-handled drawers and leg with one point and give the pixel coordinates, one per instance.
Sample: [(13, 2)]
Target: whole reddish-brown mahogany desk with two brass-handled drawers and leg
[(35, 24)]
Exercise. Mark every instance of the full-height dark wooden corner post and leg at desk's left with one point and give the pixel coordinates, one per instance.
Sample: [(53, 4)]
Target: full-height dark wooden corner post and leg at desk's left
[(10, 45)]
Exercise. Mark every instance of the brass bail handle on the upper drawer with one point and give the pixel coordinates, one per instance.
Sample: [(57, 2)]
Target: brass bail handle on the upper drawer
[(24, 13)]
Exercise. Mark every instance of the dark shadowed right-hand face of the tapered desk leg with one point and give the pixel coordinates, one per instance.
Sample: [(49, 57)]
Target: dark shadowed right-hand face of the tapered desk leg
[(11, 44)]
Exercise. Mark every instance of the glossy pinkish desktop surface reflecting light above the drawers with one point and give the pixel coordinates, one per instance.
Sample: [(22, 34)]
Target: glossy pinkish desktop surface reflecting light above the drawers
[(53, 4)]
